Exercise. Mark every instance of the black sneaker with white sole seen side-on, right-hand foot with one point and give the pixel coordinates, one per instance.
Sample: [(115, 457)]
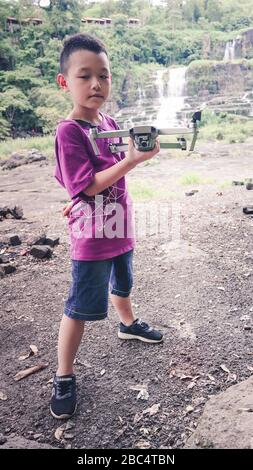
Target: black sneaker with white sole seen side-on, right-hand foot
[(140, 330)]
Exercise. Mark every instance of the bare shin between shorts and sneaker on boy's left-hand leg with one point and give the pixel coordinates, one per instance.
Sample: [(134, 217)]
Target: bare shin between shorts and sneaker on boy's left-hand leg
[(70, 335)]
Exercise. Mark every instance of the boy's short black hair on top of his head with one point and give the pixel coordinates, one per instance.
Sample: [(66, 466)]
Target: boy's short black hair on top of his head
[(77, 42)]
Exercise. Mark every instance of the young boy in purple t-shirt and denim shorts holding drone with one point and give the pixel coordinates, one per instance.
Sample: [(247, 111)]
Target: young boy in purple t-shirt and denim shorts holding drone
[(99, 259)]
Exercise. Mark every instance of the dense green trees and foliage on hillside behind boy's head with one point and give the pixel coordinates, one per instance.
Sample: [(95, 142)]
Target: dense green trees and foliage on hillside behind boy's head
[(172, 34)]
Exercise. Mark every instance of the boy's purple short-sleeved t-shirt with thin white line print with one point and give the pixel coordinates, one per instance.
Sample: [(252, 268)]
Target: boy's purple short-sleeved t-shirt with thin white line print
[(100, 226)]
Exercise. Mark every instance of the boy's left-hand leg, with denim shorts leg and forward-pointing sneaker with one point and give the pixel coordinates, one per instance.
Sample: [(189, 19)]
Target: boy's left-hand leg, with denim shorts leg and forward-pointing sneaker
[(87, 301)]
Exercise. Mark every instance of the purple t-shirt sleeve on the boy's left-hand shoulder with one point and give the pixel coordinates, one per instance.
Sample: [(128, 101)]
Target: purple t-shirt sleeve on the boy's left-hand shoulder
[(74, 168)]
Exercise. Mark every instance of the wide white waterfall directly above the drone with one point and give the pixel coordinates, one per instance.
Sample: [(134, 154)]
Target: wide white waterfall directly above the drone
[(174, 101)]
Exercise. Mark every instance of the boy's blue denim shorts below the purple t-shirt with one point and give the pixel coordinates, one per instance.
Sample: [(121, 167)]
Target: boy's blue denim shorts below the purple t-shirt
[(91, 281)]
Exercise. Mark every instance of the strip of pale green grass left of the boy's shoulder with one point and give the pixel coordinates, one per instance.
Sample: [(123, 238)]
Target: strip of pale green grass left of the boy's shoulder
[(44, 144)]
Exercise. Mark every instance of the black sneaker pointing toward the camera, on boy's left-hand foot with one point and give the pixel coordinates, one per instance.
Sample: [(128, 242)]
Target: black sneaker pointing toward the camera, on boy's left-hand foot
[(63, 399)]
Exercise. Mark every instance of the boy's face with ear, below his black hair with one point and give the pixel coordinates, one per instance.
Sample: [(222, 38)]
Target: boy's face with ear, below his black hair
[(88, 79)]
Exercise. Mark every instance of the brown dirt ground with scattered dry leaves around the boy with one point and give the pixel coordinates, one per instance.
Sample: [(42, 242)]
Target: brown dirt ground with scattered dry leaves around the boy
[(197, 291)]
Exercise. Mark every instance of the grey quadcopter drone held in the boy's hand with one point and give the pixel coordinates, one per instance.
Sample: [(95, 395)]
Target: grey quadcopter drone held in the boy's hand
[(144, 137)]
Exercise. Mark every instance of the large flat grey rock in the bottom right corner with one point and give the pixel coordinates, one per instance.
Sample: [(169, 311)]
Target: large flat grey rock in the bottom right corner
[(226, 422)]
